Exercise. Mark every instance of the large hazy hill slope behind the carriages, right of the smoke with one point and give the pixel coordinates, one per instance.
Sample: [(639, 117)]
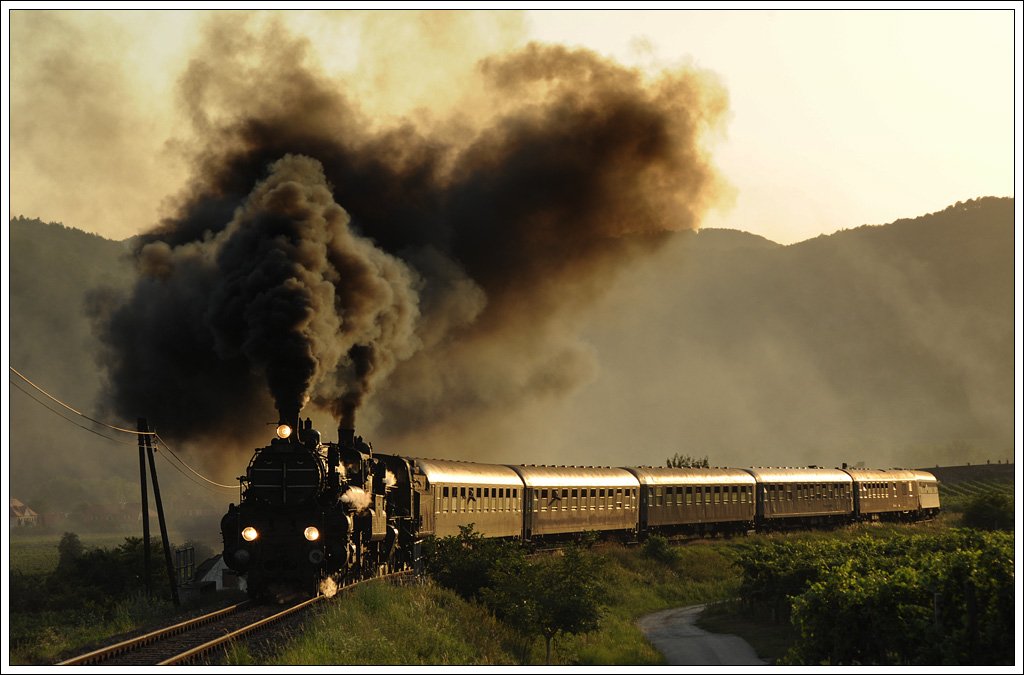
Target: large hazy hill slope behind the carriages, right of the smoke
[(882, 345)]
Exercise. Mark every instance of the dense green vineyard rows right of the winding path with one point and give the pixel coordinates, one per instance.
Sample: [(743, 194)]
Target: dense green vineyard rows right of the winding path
[(872, 601)]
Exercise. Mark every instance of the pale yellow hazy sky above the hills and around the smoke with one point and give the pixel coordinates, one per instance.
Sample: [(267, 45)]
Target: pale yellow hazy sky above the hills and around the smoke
[(838, 118)]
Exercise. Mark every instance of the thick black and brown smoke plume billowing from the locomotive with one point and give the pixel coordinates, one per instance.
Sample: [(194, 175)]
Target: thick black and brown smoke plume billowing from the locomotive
[(324, 256)]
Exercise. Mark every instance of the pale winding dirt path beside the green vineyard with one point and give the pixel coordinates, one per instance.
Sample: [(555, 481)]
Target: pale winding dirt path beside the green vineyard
[(673, 634)]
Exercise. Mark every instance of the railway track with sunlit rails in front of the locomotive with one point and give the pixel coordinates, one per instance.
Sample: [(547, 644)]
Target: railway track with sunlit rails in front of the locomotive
[(195, 641)]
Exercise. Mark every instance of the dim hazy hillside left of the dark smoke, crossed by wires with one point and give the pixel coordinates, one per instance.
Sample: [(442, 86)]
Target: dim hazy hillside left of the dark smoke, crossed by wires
[(53, 269)]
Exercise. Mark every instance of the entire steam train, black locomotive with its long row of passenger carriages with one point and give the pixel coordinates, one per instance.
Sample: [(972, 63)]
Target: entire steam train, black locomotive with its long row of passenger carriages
[(316, 516)]
